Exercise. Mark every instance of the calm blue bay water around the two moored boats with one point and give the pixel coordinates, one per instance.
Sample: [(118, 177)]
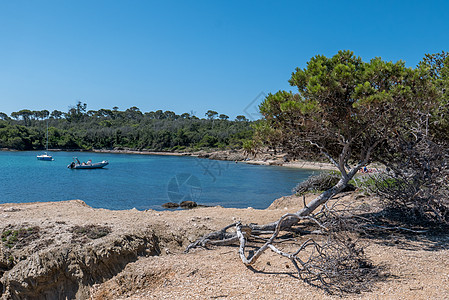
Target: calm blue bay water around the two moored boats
[(142, 181)]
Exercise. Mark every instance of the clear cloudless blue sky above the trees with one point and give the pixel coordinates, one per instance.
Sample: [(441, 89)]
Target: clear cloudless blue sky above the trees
[(192, 56)]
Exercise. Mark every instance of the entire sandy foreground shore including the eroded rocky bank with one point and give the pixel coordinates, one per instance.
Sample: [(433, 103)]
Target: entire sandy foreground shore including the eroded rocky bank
[(69, 250)]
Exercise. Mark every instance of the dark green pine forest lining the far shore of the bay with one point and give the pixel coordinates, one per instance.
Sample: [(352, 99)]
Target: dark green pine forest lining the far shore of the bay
[(79, 128)]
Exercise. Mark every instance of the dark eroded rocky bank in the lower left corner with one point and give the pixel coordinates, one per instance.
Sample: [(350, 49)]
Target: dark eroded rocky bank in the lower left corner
[(69, 272)]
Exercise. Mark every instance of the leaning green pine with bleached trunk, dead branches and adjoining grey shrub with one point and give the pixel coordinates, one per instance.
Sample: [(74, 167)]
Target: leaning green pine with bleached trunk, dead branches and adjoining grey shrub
[(353, 113)]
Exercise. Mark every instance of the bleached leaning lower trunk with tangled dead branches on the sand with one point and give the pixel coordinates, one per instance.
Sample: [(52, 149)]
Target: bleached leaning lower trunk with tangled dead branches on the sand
[(330, 258)]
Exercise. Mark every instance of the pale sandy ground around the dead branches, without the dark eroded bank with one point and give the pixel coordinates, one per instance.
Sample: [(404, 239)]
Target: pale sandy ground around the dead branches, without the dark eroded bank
[(416, 267)]
